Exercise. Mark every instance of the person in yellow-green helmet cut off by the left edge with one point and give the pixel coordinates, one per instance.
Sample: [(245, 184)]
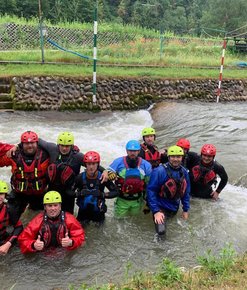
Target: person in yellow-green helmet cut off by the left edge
[(7, 238)]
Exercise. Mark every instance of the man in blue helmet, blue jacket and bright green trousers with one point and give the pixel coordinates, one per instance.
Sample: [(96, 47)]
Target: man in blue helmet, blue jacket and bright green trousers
[(131, 174)]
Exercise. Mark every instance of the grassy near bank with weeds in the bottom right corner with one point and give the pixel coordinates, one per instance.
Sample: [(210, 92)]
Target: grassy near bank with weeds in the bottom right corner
[(223, 271)]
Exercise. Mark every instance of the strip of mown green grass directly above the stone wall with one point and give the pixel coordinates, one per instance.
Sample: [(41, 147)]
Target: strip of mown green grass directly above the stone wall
[(10, 70)]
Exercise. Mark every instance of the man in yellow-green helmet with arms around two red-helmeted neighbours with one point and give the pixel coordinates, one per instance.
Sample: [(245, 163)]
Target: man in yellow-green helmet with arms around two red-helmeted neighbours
[(65, 164)]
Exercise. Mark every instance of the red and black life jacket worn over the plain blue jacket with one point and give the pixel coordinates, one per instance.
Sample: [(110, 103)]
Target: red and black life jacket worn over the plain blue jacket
[(173, 188)]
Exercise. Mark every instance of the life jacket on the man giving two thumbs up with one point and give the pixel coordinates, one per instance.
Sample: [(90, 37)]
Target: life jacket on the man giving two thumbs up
[(53, 233)]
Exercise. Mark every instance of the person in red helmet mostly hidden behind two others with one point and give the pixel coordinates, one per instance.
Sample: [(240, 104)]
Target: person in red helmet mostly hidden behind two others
[(190, 158)]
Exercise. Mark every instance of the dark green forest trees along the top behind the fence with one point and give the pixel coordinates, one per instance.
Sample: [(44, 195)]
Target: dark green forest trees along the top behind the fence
[(196, 17)]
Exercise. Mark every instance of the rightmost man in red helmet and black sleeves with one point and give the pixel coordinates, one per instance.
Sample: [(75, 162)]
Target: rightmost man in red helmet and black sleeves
[(203, 176)]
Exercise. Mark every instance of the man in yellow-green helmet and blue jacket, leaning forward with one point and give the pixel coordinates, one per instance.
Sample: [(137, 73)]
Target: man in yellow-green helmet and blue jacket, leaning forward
[(169, 184)]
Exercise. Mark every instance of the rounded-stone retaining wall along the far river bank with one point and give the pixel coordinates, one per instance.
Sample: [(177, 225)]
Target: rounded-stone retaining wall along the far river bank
[(59, 93)]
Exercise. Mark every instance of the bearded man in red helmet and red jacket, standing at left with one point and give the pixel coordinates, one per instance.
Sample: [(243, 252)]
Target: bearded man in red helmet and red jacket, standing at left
[(28, 181)]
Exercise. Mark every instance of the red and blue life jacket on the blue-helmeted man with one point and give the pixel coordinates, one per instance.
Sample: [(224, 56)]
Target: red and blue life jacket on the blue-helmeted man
[(131, 186)]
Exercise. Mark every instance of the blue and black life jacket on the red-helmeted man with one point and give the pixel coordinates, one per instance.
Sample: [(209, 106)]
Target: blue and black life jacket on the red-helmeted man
[(91, 198)]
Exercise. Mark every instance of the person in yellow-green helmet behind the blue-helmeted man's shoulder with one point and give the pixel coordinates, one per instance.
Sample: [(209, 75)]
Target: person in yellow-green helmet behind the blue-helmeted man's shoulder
[(149, 151)]
